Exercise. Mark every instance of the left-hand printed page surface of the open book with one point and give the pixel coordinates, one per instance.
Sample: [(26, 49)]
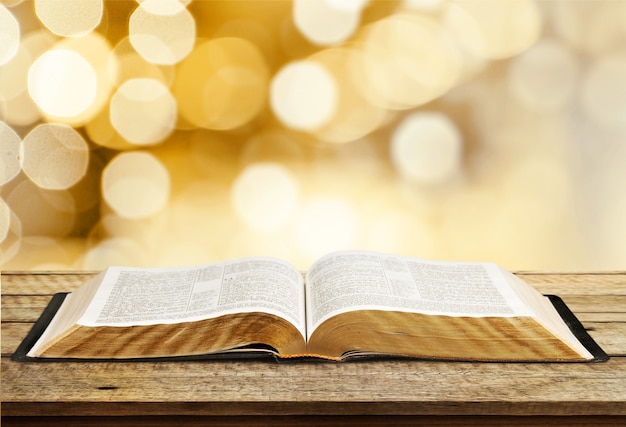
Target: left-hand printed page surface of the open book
[(134, 296)]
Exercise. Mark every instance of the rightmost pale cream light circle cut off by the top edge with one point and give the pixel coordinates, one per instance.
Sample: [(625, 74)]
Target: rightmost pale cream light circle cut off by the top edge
[(494, 29)]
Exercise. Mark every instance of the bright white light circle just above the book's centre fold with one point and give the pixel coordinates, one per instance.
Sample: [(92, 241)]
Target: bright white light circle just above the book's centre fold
[(324, 225)]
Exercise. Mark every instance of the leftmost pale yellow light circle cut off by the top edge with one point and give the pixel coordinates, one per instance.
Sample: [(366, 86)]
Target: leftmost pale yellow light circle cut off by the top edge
[(70, 18)]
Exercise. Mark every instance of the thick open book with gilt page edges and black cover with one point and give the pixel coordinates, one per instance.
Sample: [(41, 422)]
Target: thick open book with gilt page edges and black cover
[(349, 304)]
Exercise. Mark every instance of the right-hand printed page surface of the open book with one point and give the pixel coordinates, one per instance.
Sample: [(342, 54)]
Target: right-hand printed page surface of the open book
[(348, 281)]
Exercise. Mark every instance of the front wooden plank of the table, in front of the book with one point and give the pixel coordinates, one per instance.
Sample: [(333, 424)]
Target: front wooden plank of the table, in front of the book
[(382, 387)]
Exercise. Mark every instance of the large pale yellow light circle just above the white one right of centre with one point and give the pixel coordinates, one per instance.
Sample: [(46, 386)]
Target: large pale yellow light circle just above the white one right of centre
[(407, 60)]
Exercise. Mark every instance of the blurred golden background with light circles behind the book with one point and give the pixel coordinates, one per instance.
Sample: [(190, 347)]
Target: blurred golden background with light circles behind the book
[(177, 132)]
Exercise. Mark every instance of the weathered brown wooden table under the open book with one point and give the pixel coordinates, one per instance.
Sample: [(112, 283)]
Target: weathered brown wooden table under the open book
[(230, 393)]
